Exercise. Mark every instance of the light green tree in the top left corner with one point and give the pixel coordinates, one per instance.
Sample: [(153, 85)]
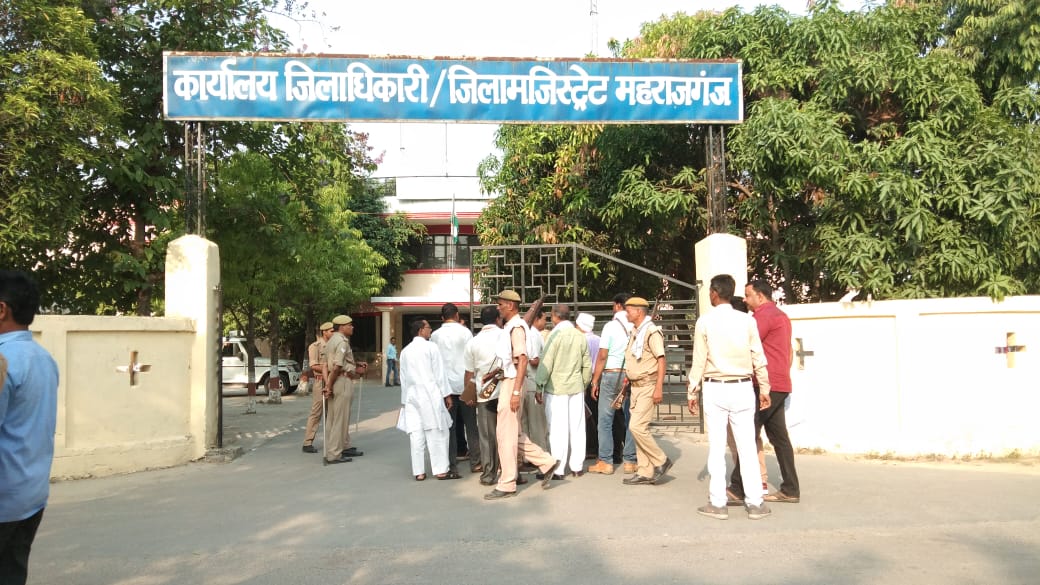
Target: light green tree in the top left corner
[(56, 111)]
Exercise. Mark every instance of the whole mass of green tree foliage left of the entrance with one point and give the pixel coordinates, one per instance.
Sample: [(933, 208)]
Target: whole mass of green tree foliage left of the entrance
[(93, 179)]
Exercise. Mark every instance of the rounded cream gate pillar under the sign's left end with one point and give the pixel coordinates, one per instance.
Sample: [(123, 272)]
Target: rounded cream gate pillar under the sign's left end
[(193, 278)]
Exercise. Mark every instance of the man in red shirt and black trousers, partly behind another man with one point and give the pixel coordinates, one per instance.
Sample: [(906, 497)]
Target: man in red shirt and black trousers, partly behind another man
[(774, 328)]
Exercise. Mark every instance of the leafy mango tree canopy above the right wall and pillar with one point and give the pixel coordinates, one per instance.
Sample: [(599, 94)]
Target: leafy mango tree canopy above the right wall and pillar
[(882, 150)]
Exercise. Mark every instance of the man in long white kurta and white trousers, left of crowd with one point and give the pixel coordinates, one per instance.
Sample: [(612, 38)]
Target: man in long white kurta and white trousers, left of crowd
[(425, 395)]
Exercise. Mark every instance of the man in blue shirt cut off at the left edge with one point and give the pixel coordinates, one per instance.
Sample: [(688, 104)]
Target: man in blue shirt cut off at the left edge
[(29, 411)]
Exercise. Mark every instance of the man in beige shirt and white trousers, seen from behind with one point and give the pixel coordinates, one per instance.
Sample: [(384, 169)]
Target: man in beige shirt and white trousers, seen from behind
[(727, 351)]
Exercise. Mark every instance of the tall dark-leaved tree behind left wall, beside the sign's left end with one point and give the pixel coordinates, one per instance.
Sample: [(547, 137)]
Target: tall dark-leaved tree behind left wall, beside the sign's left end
[(137, 200)]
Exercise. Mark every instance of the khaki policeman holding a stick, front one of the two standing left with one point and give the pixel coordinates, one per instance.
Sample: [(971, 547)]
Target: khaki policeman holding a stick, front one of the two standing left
[(342, 372)]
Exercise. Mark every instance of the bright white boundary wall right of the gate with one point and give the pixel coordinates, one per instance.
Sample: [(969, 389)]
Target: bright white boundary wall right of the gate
[(951, 377)]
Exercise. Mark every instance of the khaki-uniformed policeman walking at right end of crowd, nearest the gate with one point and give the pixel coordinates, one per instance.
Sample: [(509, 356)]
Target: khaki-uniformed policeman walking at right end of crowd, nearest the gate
[(645, 368)]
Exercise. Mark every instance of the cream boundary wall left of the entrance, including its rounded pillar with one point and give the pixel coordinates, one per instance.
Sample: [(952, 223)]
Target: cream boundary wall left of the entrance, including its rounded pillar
[(140, 393)]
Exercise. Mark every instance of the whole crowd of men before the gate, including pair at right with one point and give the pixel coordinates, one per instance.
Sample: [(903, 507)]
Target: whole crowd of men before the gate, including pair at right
[(519, 393)]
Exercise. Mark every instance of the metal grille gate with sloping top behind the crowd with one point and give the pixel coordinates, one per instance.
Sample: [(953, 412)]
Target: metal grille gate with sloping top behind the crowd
[(587, 279)]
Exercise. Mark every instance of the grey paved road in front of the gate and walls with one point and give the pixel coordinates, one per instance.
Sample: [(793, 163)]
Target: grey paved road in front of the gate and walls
[(277, 517)]
